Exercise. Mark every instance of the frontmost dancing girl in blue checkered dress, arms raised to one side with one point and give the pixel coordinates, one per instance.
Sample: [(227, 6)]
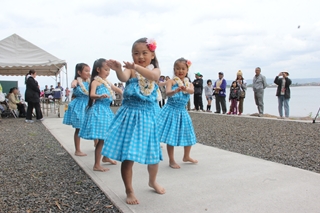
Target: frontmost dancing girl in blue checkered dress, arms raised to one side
[(133, 132)]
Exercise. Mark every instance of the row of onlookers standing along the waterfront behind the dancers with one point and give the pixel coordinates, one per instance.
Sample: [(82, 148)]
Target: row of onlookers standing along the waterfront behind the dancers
[(217, 92)]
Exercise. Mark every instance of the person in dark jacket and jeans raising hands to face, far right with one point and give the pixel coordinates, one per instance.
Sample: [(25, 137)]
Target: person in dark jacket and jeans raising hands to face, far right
[(283, 93)]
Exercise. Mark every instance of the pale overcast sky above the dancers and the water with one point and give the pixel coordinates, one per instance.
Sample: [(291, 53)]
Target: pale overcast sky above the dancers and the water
[(226, 36)]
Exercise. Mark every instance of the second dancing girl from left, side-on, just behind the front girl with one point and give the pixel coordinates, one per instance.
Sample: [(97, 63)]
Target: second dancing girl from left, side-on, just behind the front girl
[(98, 114)]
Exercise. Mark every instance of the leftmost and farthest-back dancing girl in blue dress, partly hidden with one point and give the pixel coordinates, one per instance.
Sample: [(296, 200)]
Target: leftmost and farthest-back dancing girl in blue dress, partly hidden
[(76, 109)]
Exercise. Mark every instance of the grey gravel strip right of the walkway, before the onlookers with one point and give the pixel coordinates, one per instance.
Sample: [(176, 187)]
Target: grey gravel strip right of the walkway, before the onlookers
[(288, 142)]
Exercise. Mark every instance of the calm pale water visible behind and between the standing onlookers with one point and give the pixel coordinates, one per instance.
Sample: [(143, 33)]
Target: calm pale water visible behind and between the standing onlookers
[(304, 101)]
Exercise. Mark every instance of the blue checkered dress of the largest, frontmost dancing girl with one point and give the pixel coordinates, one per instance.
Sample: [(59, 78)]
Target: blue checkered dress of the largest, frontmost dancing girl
[(133, 132)]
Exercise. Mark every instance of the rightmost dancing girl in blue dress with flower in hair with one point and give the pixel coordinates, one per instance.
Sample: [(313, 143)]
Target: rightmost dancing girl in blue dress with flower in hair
[(174, 123)]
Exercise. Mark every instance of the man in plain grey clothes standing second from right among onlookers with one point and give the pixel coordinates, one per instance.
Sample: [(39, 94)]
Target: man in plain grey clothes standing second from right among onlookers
[(259, 84)]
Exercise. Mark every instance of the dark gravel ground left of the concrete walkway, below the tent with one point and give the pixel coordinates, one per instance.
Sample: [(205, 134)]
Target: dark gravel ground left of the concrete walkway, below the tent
[(38, 175)]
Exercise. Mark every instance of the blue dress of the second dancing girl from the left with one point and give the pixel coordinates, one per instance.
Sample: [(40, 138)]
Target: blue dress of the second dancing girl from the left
[(98, 117)]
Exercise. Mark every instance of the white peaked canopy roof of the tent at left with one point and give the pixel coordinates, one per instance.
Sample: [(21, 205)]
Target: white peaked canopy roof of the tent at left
[(18, 56)]
